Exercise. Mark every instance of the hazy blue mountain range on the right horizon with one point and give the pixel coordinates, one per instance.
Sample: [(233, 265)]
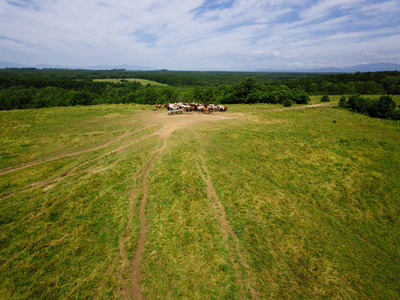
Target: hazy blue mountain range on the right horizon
[(378, 67)]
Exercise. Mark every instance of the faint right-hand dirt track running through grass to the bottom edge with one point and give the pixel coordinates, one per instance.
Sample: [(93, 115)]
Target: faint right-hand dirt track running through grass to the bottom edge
[(245, 282)]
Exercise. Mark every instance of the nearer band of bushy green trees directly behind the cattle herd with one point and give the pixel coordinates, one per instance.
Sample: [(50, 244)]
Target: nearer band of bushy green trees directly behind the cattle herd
[(92, 93)]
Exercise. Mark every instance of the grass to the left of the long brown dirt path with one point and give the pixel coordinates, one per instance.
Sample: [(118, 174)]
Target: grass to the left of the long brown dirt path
[(61, 240)]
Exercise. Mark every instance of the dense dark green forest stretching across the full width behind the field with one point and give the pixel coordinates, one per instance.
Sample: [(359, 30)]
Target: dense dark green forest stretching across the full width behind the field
[(36, 88)]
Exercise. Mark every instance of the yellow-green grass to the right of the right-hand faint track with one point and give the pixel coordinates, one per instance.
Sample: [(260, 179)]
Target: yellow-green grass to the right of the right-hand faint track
[(313, 200)]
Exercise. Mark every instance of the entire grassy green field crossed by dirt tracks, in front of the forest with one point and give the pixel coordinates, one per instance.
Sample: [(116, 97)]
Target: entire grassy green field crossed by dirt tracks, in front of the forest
[(251, 203)]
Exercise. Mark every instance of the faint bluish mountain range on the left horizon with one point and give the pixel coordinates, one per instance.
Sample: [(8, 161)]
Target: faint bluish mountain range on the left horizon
[(4, 65)]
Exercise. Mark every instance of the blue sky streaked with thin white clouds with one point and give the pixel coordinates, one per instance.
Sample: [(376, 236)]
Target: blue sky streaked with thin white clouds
[(231, 35)]
